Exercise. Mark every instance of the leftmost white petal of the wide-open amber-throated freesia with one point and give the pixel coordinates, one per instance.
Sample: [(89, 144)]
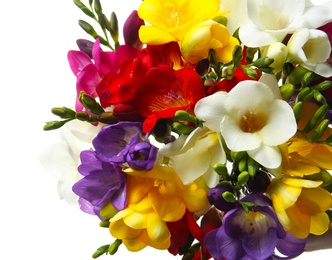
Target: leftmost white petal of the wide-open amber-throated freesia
[(212, 109)]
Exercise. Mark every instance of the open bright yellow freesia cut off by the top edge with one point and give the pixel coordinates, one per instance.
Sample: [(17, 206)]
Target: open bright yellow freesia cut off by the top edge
[(170, 19)]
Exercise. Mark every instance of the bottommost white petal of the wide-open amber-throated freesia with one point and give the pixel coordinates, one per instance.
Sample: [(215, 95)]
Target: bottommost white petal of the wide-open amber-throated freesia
[(268, 156)]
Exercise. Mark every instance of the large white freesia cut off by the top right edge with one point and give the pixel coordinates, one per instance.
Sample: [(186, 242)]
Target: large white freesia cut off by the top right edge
[(272, 20)]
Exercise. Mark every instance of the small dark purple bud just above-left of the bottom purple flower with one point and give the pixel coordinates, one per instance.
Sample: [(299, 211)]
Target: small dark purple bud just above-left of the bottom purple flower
[(216, 198)]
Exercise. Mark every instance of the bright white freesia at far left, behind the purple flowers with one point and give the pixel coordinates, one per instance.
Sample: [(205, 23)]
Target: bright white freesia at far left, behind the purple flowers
[(61, 158)]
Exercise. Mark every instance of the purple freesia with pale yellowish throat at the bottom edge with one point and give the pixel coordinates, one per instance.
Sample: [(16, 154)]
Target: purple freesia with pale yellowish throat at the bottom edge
[(252, 235)]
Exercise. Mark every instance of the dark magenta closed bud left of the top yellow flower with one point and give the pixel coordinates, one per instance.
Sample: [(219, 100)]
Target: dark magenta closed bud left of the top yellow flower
[(130, 30)]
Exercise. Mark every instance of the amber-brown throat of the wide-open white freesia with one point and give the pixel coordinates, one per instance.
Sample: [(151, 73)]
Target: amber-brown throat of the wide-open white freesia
[(253, 121)]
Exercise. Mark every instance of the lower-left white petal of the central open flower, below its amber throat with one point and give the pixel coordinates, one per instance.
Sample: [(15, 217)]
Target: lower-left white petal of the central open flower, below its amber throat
[(237, 140)]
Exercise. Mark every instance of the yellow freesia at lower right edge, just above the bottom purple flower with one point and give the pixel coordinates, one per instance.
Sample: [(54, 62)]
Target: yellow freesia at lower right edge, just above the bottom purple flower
[(300, 205)]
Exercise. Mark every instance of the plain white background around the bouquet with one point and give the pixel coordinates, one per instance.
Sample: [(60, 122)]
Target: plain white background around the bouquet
[(35, 76)]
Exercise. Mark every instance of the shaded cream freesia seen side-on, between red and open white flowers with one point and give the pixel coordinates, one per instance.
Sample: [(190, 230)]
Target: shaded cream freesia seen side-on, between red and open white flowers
[(194, 156)]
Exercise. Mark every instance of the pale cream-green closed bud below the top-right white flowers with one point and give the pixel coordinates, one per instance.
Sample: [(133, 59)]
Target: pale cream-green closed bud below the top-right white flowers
[(279, 53)]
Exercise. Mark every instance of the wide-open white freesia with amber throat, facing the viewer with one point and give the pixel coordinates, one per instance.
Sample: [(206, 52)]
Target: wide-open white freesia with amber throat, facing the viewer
[(250, 118)]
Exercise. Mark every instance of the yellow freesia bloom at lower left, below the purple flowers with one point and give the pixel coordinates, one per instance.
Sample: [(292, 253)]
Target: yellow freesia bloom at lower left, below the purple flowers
[(154, 198)]
